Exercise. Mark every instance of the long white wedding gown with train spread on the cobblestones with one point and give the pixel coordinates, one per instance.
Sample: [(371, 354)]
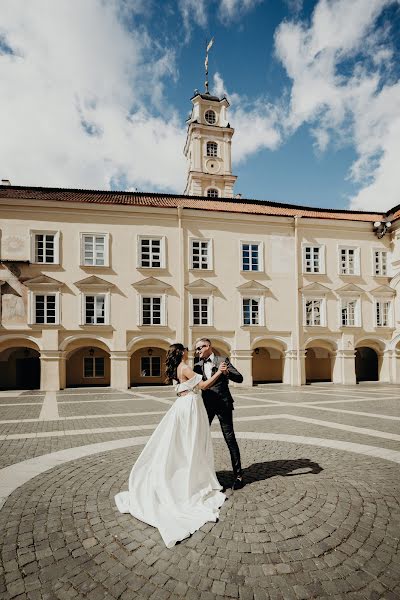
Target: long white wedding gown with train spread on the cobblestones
[(173, 485)]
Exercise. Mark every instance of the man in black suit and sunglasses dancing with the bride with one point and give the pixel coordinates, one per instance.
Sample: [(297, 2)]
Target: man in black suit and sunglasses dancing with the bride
[(218, 400)]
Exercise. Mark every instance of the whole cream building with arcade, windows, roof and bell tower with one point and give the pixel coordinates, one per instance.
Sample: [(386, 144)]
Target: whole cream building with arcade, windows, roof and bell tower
[(95, 285)]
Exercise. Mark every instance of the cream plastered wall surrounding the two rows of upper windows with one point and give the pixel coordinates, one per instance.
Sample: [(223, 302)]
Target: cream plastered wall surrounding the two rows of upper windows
[(124, 224)]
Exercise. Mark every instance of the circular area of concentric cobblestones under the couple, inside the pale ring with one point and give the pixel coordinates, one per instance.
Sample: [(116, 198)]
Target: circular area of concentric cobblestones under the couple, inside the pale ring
[(310, 523)]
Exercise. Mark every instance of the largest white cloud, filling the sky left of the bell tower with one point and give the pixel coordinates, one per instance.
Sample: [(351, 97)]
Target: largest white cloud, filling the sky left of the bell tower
[(80, 99)]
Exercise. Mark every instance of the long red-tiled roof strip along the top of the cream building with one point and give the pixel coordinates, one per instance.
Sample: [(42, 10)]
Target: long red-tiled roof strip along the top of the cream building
[(231, 205)]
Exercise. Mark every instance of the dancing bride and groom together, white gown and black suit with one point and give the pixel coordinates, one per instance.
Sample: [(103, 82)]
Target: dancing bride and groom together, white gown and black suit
[(173, 485)]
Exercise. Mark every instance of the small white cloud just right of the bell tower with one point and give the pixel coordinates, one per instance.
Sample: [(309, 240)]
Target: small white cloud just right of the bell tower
[(256, 123)]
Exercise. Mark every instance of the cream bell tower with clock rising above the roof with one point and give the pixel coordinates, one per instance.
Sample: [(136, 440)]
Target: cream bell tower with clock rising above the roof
[(208, 148)]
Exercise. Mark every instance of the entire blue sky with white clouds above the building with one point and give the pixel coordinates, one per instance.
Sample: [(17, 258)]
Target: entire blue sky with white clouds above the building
[(97, 97)]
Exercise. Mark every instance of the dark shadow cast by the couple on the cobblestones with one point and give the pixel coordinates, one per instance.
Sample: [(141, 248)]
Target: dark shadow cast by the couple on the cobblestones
[(272, 468)]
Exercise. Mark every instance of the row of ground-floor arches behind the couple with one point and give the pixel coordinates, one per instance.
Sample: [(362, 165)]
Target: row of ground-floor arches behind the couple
[(92, 361)]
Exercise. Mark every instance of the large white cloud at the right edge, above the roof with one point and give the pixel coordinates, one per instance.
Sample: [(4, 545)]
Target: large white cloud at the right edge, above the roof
[(361, 107)]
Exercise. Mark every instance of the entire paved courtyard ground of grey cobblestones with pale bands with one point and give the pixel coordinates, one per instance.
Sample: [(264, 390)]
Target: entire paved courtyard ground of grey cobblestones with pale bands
[(318, 517)]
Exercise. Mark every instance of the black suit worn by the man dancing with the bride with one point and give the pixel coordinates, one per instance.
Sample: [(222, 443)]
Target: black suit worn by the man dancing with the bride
[(218, 401)]
